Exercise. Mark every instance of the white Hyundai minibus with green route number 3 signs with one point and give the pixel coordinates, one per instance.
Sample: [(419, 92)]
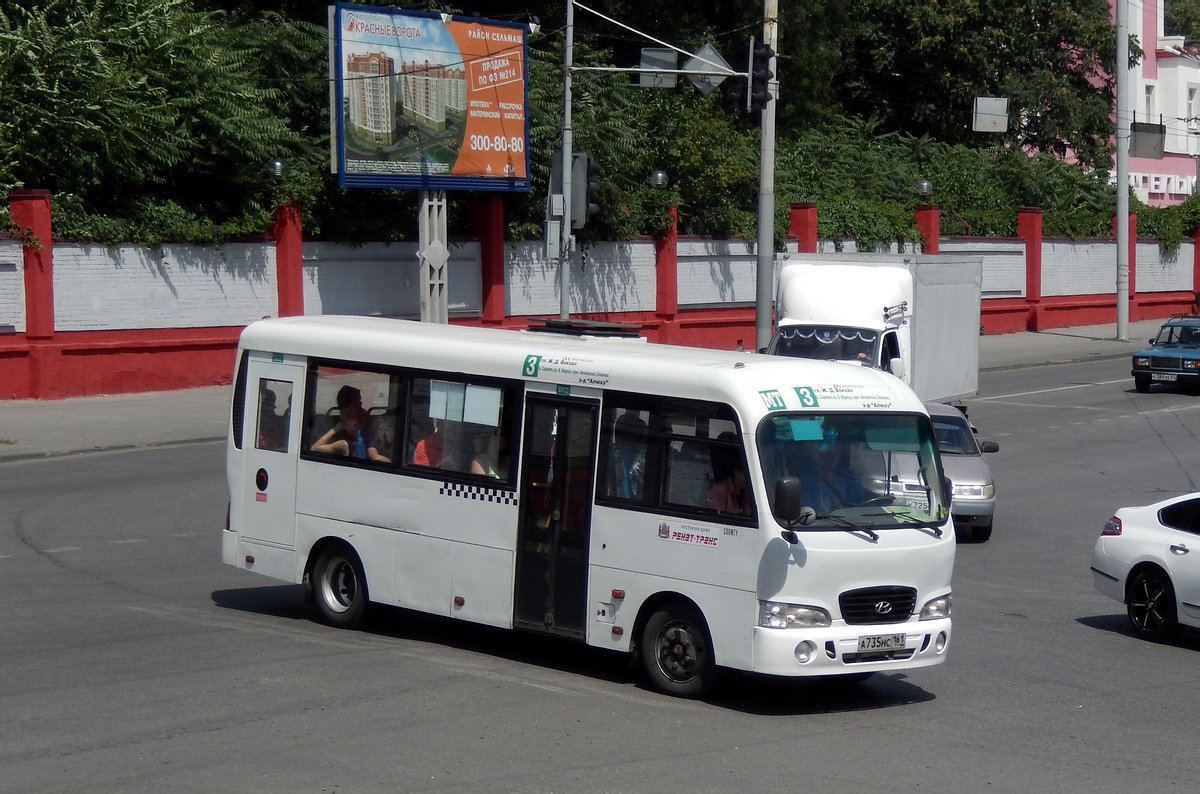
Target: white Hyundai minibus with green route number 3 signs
[(700, 509)]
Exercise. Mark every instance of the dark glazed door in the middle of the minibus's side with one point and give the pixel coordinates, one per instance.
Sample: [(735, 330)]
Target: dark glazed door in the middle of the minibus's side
[(557, 477)]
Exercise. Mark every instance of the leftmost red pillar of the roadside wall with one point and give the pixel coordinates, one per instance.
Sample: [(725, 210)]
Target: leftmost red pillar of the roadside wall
[(31, 212)]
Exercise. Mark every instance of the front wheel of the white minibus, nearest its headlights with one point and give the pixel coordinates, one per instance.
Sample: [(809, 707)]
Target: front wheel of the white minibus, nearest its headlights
[(677, 653)]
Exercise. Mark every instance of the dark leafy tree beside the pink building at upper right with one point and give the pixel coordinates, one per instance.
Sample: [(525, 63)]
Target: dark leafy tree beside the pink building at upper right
[(920, 64)]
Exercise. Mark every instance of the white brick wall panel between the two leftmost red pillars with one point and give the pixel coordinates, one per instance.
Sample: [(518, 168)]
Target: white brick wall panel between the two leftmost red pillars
[(103, 288)]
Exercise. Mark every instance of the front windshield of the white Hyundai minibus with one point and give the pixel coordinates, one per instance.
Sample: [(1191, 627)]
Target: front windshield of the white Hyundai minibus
[(856, 471)]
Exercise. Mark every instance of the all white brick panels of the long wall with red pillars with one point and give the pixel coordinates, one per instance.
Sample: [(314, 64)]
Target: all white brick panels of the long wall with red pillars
[(127, 287)]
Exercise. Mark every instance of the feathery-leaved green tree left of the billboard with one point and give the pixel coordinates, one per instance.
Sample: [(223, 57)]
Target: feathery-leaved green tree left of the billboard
[(145, 110)]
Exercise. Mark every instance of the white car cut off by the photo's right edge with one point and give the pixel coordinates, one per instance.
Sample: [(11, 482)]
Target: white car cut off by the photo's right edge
[(1144, 560)]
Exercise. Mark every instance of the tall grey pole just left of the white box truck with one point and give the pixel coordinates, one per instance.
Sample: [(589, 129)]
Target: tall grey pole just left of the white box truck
[(765, 281)]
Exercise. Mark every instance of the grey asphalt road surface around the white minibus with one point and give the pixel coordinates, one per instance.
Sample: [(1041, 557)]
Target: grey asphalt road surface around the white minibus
[(133, 660)]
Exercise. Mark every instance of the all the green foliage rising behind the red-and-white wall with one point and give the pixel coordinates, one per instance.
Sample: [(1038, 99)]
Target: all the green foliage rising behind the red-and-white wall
[(155, 121)]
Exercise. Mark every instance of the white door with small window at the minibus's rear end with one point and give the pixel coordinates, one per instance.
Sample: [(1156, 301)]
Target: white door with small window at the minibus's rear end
[(271, 449)]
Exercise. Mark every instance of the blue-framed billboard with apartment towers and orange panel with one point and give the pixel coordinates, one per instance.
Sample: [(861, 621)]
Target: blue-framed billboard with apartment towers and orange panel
[(424, 104)]
